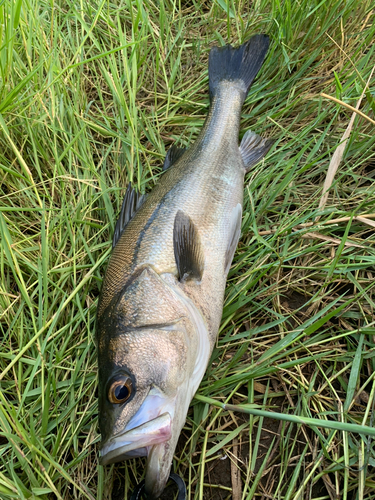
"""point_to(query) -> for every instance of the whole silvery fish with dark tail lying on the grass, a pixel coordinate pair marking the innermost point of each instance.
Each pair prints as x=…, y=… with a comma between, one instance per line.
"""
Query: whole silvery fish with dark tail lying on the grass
x=162, y=295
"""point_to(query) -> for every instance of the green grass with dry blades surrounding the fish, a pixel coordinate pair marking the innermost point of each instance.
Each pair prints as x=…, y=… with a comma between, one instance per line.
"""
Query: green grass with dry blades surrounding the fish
x=92, y=94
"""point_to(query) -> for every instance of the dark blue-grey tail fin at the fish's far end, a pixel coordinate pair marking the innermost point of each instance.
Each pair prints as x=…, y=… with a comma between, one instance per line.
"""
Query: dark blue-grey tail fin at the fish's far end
x=241, y=64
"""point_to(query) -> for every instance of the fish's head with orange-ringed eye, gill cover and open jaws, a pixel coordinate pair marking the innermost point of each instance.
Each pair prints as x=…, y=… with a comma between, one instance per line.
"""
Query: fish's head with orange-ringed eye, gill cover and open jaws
x=145, y=369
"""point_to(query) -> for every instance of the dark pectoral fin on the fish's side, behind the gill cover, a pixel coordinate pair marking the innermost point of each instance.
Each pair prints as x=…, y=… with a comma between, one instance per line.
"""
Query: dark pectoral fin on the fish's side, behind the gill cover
x=188, y=251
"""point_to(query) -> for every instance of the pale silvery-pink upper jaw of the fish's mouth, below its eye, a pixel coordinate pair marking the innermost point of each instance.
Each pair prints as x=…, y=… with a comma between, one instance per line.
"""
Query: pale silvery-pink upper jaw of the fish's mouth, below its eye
x=137, y=442
